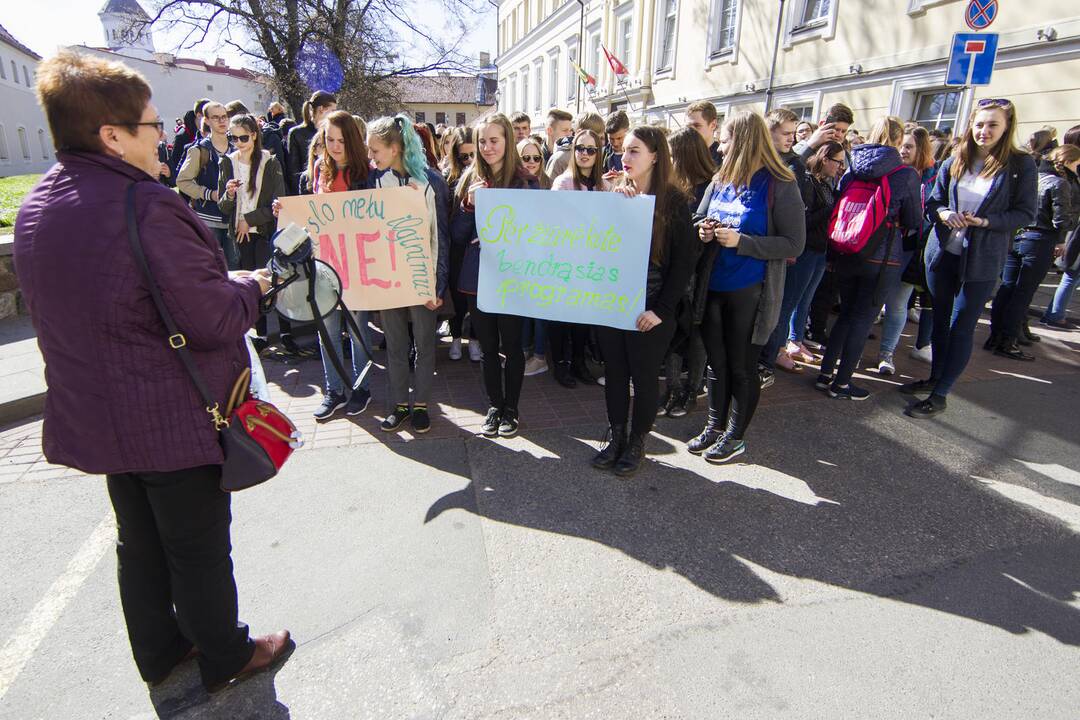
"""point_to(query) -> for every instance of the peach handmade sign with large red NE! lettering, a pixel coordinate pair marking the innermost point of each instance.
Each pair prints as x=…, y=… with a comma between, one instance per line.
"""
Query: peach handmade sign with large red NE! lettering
x=379, y=241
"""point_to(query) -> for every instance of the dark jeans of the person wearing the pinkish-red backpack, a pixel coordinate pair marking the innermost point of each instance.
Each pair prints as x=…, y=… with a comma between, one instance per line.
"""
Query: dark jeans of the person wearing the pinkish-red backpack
x=862, y=295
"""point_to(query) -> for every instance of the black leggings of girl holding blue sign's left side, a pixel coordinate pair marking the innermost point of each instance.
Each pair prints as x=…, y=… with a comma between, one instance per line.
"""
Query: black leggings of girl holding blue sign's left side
x=498, y=333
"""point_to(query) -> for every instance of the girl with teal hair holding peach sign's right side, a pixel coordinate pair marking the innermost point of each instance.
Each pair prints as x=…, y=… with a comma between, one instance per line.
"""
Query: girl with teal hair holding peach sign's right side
x=400, y=161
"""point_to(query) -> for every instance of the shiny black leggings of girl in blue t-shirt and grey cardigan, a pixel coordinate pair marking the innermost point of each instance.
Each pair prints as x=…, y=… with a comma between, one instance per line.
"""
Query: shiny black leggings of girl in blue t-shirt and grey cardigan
x=734, y=386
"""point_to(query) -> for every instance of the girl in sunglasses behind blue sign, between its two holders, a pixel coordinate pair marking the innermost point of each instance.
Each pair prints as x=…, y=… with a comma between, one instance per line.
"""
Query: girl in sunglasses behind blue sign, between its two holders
x=586, y=173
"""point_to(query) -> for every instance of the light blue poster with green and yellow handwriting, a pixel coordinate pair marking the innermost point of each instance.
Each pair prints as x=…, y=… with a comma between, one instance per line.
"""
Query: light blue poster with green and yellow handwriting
x=577, y=257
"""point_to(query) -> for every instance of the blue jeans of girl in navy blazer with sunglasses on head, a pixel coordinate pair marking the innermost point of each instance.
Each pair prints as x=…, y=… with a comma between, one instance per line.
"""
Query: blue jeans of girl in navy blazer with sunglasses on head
x=958, y=306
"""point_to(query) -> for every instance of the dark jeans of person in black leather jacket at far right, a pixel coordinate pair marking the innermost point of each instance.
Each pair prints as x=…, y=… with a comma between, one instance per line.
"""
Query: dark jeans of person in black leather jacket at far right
x=1027, y=267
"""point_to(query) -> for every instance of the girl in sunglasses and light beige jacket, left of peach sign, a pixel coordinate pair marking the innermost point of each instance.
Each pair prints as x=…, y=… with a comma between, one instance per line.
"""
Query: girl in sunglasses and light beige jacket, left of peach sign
x=249, y=181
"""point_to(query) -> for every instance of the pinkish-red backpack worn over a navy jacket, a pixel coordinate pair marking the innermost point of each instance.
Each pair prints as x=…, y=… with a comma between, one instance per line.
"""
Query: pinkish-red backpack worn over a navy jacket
x=859, y=222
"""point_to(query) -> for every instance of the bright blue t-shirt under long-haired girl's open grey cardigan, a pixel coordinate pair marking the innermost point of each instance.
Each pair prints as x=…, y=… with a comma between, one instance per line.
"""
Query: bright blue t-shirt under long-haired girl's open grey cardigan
x=746, y=210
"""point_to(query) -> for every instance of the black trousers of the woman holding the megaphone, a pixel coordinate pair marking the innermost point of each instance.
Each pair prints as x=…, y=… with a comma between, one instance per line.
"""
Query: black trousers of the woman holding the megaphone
x=175, y=572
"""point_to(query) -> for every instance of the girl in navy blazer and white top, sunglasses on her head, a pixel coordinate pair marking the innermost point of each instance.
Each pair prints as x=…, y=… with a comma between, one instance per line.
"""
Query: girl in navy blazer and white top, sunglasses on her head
x=983, y=194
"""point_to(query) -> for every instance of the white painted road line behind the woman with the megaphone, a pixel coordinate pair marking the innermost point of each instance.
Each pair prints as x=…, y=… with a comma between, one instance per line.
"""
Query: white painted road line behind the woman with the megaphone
x=24, y=642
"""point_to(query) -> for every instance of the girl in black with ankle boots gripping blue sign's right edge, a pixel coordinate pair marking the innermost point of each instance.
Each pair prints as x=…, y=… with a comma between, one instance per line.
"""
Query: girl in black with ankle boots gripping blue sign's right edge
x=629, y=355
